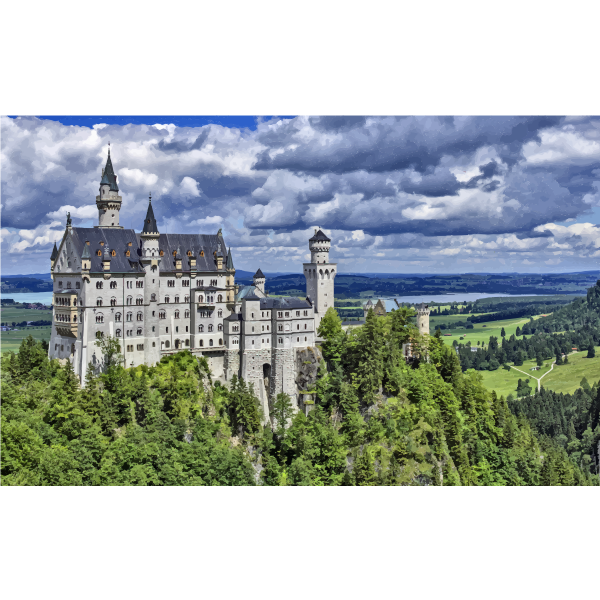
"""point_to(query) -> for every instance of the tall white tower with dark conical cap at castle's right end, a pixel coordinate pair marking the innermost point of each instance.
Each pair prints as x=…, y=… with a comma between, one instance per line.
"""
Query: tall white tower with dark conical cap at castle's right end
x=320, y=274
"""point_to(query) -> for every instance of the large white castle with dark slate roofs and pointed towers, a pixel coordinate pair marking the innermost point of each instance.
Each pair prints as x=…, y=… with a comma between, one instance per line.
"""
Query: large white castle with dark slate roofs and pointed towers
x=160, y=293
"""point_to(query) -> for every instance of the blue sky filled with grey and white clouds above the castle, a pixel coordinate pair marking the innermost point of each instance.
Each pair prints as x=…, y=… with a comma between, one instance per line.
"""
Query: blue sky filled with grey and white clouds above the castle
x=405, y=194
